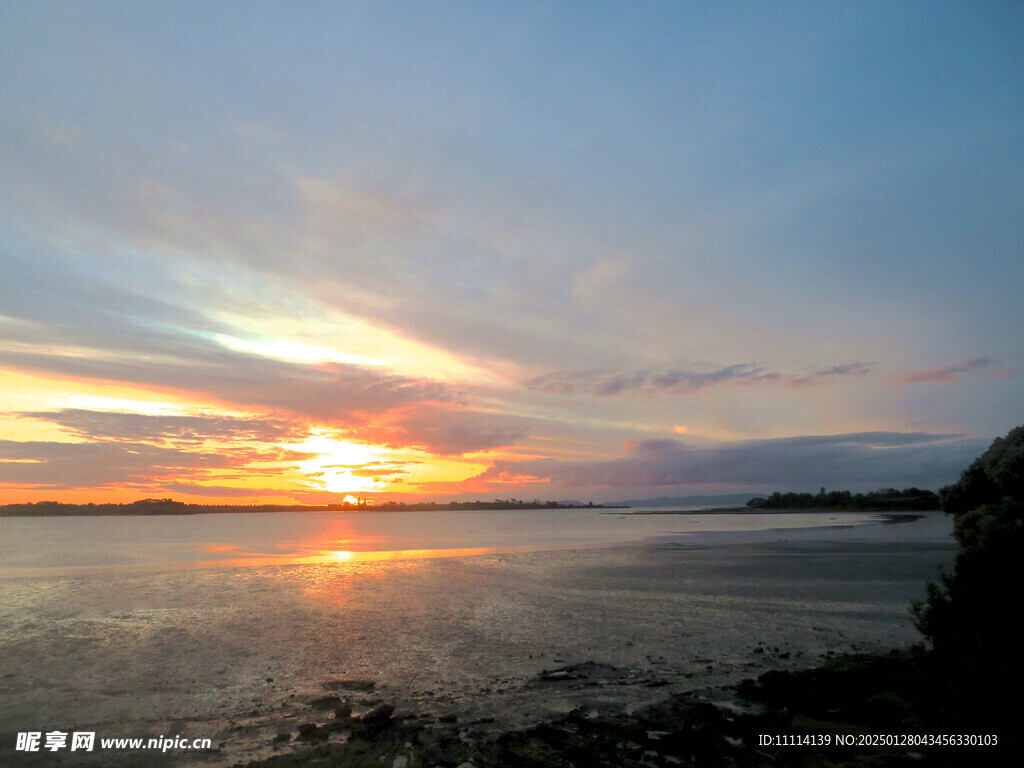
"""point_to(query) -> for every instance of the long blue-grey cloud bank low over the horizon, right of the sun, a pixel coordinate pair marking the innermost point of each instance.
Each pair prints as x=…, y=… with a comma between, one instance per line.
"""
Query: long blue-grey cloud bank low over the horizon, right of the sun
x=857, y=460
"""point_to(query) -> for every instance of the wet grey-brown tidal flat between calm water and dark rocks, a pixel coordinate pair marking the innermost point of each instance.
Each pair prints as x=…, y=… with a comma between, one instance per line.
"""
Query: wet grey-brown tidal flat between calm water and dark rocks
x=237, y=655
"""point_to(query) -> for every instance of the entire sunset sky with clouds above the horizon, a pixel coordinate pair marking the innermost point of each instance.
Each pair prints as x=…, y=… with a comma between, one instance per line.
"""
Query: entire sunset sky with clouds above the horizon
x=267, y=252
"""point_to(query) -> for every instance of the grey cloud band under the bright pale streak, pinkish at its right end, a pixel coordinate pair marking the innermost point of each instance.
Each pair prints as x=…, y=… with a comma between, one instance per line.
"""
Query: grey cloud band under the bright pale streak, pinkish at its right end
x=80, y=319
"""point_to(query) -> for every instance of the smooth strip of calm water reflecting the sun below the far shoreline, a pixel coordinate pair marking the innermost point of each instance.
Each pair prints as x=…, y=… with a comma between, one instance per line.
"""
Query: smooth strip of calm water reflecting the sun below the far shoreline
x=29, y=545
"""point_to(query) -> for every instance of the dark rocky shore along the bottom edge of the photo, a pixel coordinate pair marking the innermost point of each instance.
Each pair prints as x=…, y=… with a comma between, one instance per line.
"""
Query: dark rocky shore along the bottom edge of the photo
x=793, y=719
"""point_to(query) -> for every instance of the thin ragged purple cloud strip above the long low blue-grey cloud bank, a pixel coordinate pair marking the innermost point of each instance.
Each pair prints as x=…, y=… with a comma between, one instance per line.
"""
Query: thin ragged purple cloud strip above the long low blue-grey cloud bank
x=608, y=382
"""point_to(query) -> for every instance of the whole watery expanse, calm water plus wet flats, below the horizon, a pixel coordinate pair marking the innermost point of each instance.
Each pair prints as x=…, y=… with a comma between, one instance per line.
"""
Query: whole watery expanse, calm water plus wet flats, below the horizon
x=227, y=626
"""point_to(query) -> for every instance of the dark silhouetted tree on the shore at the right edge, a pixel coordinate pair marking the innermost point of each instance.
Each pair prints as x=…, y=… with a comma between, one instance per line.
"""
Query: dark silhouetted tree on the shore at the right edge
x=971, y=617
